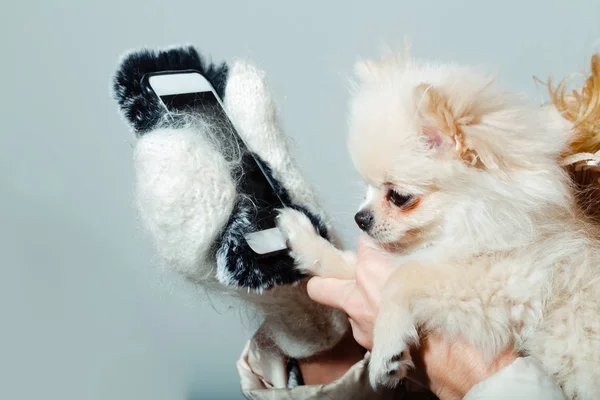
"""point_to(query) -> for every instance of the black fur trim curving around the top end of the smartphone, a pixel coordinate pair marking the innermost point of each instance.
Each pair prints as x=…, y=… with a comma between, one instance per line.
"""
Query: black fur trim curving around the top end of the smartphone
x=140, y=106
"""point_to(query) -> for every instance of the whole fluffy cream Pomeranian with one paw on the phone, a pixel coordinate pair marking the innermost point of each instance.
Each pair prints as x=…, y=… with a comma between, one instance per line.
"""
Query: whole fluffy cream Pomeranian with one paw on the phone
x=465, y=191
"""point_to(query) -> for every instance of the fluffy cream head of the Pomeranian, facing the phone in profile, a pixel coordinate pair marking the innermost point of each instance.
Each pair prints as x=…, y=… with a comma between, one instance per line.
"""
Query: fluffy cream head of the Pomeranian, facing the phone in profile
x=450, y=157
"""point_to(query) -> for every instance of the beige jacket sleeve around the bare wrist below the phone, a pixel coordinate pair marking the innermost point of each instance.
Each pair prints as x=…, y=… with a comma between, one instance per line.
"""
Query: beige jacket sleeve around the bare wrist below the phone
x=263, y=376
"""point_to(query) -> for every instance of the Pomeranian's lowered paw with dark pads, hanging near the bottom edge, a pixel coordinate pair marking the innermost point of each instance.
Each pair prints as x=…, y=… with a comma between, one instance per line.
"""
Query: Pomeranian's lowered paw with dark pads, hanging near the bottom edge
x=389, y=365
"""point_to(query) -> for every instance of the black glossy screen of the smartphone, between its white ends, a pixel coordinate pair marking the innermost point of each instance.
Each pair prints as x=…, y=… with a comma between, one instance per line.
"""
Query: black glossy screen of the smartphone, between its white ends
x=252, y=179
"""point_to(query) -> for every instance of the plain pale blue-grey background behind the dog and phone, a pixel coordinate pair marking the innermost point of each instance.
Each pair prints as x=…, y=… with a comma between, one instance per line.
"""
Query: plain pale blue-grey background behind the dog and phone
x=85, y=314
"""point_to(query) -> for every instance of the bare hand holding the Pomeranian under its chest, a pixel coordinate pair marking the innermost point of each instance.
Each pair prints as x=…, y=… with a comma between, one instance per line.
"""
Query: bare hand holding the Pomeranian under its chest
x=448, y=368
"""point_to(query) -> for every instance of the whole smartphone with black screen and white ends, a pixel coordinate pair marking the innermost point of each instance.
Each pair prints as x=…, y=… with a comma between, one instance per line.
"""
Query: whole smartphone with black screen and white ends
x=190, y=91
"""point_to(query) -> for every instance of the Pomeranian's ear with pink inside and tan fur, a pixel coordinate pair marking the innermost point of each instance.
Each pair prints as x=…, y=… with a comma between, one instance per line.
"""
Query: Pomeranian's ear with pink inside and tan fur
x=443, y=126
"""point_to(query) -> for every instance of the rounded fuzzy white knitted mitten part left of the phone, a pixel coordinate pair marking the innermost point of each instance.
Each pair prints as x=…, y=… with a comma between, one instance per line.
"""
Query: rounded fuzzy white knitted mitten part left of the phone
x=184, y=194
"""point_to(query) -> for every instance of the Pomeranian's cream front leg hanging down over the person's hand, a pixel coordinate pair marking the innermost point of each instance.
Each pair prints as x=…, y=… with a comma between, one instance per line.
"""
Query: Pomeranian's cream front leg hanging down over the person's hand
x=445, y=299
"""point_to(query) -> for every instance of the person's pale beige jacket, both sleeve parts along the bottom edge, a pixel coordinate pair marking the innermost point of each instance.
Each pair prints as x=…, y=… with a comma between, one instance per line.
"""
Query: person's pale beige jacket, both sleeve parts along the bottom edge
x=262, y=370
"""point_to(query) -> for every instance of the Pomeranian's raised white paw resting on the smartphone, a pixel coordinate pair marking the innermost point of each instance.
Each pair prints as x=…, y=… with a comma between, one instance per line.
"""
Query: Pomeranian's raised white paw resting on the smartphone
x=302, y=238
